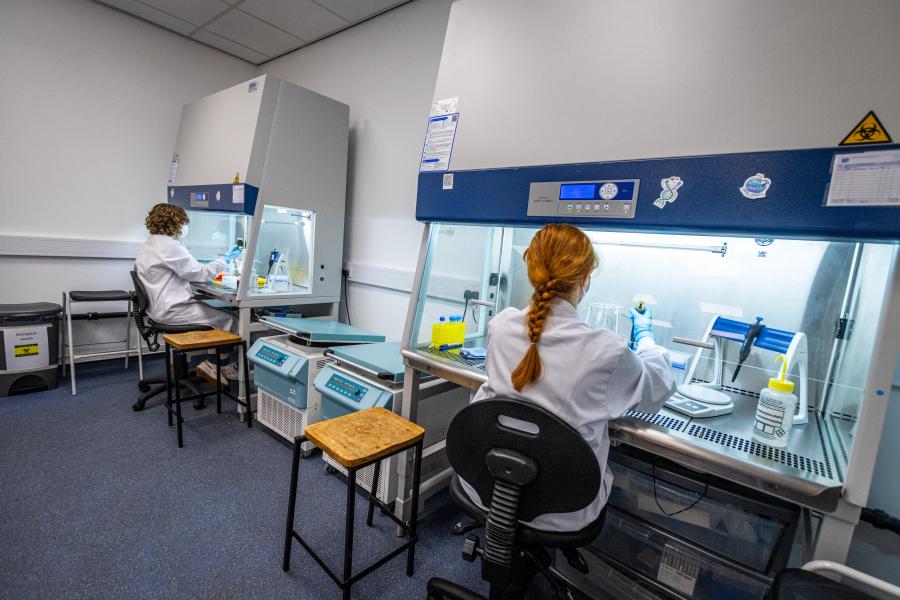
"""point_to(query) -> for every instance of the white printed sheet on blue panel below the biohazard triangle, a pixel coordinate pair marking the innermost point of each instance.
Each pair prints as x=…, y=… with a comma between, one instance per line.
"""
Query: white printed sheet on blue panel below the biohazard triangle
x=865, y=179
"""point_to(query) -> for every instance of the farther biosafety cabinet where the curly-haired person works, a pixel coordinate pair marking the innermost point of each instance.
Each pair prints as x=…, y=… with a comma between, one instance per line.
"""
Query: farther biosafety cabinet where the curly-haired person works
x=262, y=165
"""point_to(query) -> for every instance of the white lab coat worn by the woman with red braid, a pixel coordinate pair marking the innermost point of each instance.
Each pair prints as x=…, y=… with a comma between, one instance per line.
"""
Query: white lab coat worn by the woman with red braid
x=589, y=377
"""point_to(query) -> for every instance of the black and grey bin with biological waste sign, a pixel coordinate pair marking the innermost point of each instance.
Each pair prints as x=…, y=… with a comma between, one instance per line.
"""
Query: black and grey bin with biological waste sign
x=29, y=347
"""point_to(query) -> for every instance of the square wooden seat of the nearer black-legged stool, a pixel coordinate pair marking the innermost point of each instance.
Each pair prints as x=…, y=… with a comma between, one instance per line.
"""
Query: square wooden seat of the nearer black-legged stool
x=364, y=436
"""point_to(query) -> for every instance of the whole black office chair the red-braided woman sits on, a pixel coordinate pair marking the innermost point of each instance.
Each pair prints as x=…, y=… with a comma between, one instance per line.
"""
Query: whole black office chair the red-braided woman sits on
x=528, y=462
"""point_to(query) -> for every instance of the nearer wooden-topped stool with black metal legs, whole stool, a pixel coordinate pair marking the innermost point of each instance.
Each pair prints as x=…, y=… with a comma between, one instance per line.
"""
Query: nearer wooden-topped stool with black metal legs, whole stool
x=356, y=441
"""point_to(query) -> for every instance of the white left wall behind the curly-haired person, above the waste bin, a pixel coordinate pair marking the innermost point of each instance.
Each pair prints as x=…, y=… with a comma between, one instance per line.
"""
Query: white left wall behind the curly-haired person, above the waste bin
x=90, y=109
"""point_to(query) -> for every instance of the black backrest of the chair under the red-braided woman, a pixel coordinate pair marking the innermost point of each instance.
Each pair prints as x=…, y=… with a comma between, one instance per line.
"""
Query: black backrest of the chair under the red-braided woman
x=500, y=439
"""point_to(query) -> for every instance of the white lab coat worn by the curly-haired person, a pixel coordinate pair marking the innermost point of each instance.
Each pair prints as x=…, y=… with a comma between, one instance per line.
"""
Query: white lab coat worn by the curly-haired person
x=166, y=269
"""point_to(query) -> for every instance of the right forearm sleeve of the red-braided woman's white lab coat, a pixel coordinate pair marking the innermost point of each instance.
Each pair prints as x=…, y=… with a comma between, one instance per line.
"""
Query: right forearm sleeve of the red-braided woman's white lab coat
x=641, y=381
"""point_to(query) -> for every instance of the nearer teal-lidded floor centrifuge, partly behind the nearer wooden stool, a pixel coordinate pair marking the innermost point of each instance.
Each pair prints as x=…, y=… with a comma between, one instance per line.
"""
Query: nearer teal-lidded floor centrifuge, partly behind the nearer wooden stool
x=371, y=375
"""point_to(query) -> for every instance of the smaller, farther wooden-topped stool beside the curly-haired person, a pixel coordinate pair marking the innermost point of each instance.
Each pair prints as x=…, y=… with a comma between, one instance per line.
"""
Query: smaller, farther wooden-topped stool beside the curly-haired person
x=180, y=343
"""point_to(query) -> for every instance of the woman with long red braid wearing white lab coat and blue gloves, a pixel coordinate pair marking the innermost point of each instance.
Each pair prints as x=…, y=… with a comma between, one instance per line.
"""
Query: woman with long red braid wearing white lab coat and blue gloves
x=545, y=354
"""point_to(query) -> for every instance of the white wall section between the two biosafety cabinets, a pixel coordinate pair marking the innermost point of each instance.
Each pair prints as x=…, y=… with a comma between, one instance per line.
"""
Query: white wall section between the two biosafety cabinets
x=385, y=70
